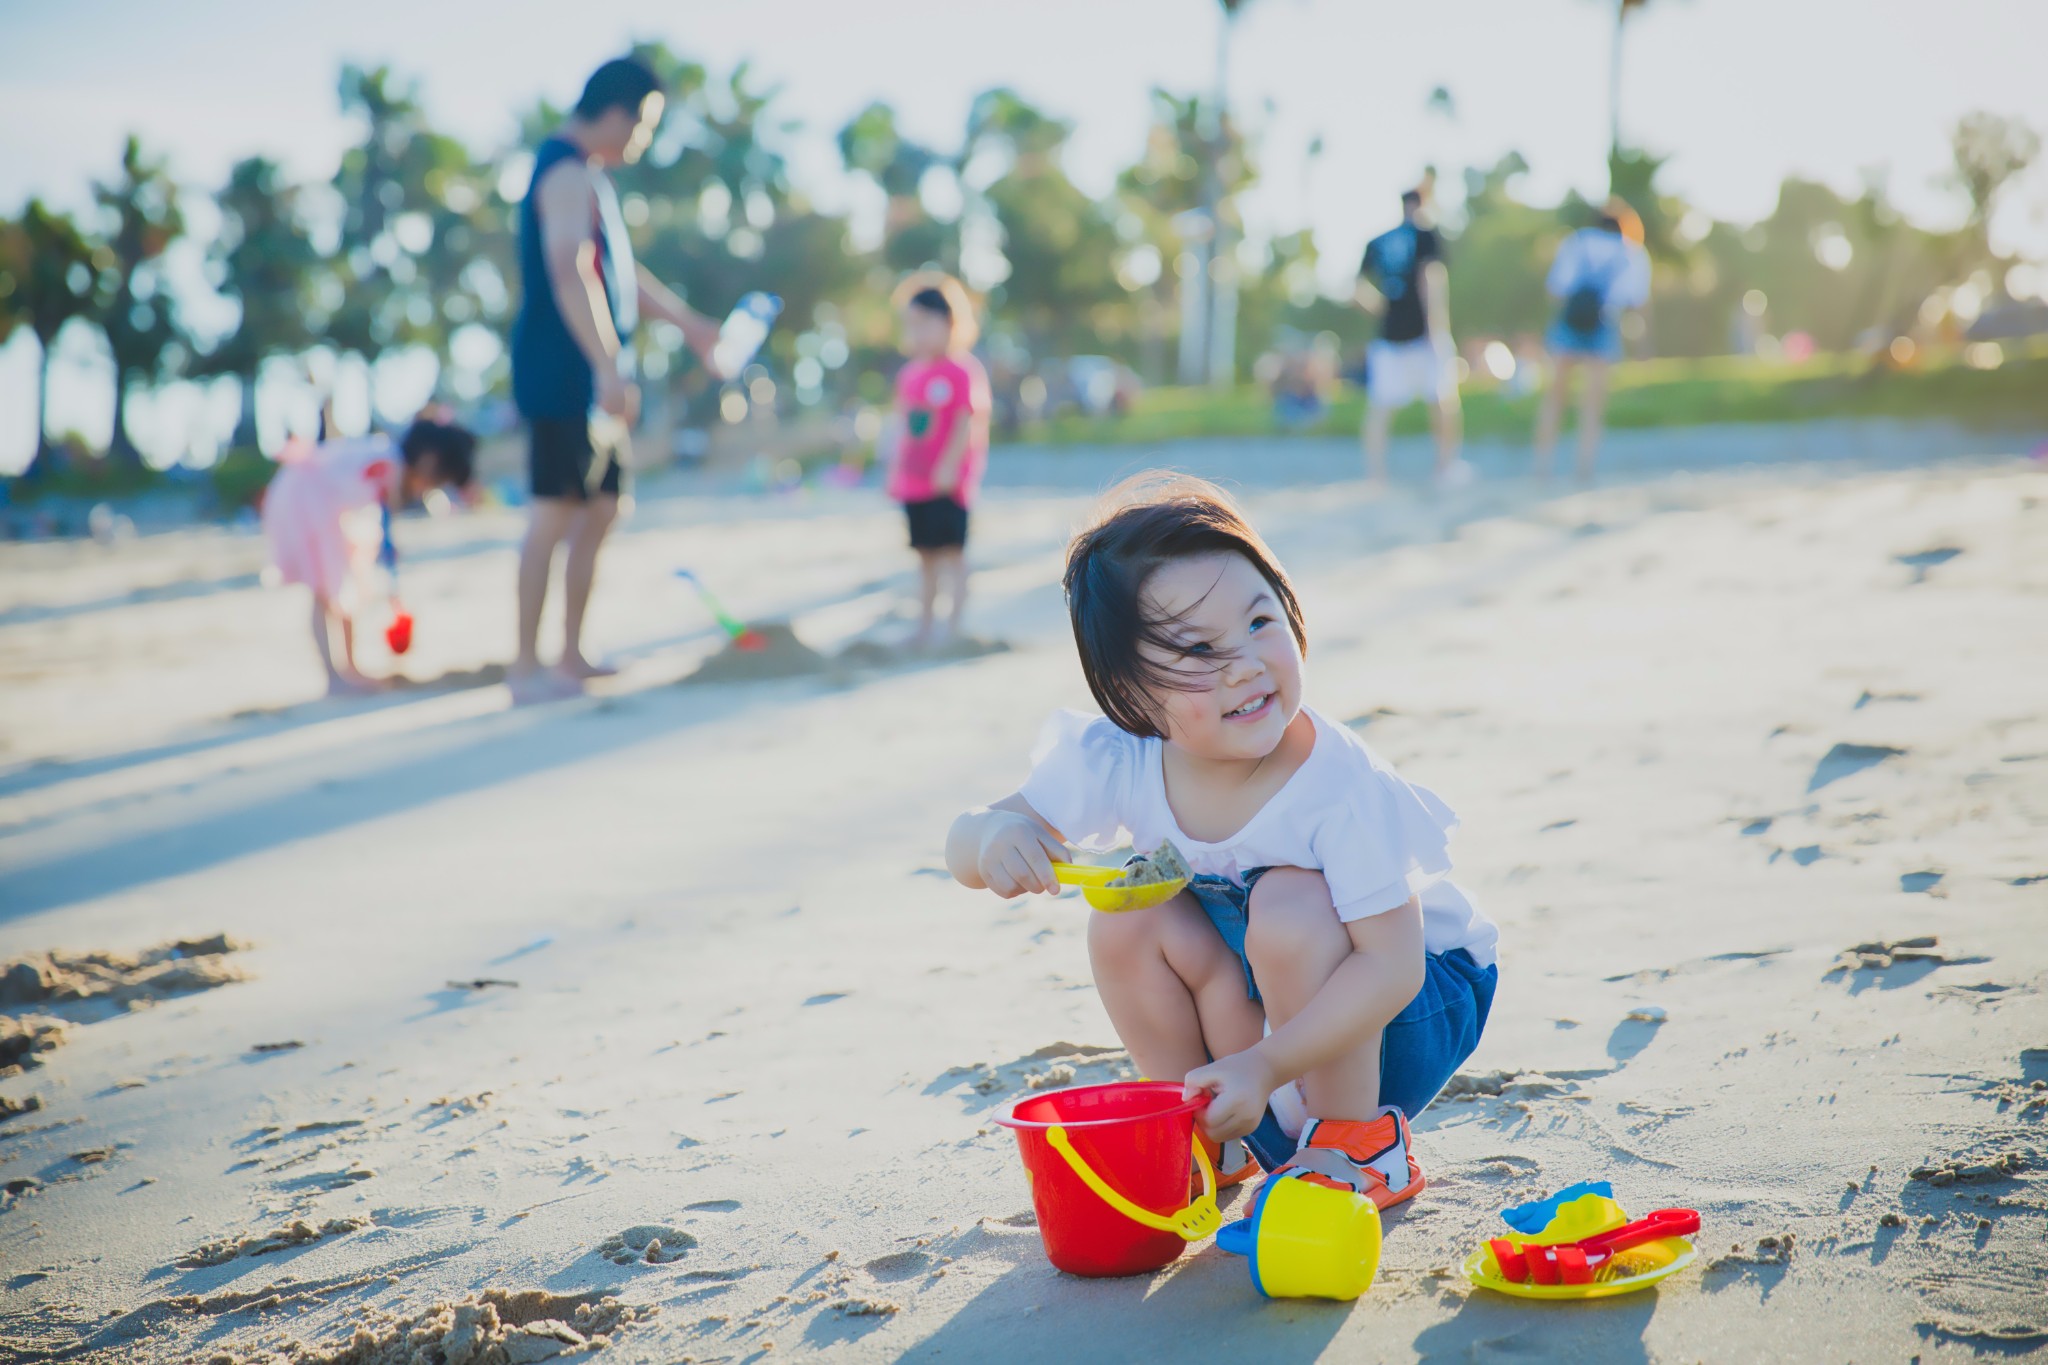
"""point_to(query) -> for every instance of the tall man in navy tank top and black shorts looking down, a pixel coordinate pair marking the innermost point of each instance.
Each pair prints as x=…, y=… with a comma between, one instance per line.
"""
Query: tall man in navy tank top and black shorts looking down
x=572, y=363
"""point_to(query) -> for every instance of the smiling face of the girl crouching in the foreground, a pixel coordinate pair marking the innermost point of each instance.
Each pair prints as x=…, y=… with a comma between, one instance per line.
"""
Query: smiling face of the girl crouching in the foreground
x=1240, y=666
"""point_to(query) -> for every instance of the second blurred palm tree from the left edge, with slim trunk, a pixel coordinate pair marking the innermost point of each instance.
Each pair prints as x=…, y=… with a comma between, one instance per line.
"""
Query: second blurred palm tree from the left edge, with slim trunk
x=142, y=220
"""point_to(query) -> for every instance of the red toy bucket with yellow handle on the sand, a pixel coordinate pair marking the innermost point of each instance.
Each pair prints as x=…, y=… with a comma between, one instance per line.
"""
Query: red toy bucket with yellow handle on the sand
x=1111, y=1168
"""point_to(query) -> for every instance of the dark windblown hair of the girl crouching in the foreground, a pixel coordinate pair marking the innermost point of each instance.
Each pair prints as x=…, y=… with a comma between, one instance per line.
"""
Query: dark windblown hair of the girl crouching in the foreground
x=1152, y=521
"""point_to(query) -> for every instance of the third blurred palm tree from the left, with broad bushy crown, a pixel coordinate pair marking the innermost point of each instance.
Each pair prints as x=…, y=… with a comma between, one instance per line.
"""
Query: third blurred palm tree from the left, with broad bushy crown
x=265, y=261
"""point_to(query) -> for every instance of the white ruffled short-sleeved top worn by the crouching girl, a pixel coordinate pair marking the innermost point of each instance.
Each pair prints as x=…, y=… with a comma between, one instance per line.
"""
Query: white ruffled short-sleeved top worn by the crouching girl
x=1345, y=813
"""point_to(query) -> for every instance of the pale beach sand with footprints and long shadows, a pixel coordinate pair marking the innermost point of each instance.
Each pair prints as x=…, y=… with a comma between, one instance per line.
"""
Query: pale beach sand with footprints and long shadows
x=650, y=1018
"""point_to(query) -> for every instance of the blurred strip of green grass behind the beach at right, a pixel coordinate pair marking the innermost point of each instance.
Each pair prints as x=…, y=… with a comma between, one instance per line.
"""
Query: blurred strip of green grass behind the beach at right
x=1646, y=394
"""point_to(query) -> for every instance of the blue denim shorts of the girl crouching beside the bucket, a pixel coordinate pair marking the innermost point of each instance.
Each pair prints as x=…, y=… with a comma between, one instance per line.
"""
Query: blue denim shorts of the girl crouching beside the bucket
x=1426, y=1043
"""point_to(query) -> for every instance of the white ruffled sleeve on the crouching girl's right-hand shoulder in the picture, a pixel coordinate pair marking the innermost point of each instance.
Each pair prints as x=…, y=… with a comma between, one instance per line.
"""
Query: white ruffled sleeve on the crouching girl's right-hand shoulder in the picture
x=1388, y=844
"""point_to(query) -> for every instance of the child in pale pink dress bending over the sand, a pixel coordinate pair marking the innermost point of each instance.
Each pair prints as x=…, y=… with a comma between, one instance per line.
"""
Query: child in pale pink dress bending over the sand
x=327, y=515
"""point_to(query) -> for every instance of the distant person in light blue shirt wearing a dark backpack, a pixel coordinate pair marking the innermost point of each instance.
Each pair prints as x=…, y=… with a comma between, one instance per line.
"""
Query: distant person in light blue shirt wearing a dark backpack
x=1601, y=275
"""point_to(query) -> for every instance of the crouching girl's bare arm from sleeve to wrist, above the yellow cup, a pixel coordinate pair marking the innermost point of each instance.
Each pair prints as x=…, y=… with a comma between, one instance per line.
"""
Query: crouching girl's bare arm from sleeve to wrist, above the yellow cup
x=1361, y=998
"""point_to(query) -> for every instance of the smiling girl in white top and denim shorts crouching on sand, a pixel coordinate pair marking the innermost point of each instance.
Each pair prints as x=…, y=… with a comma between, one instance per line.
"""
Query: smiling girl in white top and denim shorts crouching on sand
x=1322, y=963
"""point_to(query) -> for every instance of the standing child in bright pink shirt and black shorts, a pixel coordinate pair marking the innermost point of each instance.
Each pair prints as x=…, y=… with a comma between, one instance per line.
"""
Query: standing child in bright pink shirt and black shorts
x=937, y=441
